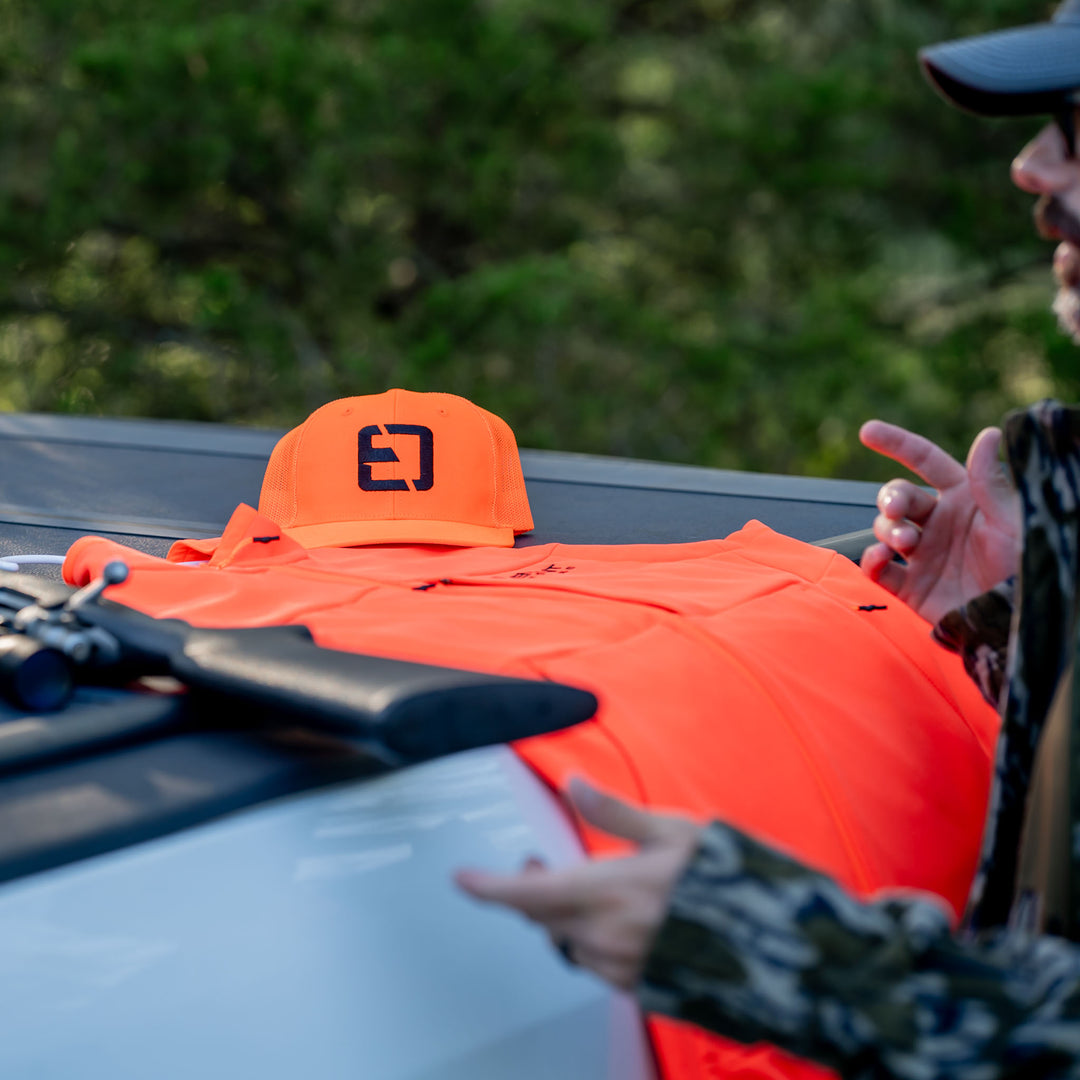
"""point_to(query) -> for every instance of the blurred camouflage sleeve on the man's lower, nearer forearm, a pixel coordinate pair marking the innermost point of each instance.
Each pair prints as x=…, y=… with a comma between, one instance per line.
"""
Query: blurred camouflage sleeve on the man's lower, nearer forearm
x=758, y=948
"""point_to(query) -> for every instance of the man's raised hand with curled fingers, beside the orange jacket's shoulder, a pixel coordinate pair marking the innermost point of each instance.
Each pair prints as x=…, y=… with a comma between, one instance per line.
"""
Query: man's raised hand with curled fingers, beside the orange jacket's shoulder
x=957, y=544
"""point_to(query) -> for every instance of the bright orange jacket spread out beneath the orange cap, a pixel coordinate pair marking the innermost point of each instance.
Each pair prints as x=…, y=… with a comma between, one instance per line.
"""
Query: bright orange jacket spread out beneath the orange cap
x=754, y=679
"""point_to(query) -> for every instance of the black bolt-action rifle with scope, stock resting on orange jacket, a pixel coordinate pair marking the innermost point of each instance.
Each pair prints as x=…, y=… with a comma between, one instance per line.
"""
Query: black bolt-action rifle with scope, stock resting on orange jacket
x=55, y=639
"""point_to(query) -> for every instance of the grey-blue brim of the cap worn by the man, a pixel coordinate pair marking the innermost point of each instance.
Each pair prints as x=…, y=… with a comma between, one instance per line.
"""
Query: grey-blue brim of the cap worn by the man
x=1016, y=73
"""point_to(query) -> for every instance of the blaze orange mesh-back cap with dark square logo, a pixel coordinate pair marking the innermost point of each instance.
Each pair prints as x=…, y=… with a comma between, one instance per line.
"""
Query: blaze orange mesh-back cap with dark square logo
x=398, y=468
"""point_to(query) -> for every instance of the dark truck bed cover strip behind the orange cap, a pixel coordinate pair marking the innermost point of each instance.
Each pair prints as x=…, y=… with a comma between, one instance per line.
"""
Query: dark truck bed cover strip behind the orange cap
x=150, y=482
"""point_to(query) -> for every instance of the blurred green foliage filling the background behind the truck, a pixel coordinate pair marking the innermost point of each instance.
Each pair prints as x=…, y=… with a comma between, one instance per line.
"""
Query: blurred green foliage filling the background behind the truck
x=721, y=232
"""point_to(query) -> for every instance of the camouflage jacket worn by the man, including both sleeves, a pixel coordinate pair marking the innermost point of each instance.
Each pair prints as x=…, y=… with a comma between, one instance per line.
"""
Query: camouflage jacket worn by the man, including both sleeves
x=757, y=947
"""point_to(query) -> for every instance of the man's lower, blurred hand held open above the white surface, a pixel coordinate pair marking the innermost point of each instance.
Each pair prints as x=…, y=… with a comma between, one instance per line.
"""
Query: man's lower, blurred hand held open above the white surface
x=602, y=915
